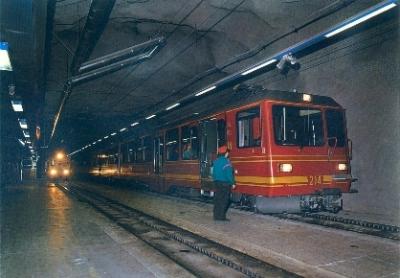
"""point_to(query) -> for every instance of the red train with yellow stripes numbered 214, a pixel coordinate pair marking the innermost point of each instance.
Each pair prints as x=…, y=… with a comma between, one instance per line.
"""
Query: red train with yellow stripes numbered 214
x=289, y=150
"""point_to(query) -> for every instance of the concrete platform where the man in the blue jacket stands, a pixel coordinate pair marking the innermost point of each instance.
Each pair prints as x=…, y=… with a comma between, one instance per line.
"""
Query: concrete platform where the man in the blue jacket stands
x=307, y=250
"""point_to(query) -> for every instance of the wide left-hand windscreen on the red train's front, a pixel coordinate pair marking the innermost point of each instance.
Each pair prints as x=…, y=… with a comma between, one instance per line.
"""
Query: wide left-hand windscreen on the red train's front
x=298, y=126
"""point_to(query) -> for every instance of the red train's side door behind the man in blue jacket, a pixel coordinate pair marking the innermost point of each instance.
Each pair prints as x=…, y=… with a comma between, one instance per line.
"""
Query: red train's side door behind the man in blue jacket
x=212, y=135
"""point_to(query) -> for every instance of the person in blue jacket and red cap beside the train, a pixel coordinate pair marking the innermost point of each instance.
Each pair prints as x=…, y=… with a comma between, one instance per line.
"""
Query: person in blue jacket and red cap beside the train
x=224, y=181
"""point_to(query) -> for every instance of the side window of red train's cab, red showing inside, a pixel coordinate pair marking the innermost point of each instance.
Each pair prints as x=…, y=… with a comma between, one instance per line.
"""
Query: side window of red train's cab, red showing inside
x=248, y=127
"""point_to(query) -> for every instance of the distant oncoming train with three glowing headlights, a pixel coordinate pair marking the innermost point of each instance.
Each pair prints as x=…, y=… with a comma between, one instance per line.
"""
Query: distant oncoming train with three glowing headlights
x=58, y=166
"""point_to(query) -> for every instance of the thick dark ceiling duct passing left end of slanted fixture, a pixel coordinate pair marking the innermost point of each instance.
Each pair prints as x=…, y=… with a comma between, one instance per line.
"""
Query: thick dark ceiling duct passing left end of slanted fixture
x=96, y=21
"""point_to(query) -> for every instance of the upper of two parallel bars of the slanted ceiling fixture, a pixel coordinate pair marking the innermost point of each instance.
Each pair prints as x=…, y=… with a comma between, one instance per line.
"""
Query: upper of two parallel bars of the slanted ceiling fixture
x=120, y=55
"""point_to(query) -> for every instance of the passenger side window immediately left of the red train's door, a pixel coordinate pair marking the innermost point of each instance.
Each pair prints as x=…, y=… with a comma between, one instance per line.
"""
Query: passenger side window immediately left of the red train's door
x=189, y=142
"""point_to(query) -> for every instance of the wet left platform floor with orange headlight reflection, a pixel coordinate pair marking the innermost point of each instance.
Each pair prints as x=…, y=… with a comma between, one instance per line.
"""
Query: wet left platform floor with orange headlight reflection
x=45, y=233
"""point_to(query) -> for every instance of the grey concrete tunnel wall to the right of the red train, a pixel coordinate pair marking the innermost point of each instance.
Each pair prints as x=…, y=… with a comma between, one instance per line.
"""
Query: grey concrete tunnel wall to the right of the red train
x=362, y=74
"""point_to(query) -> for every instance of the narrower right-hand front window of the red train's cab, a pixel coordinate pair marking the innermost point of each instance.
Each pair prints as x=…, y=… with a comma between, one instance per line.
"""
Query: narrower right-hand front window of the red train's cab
x=336, y=128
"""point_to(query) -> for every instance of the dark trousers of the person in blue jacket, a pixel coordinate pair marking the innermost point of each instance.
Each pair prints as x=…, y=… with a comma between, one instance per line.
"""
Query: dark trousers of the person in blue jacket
x=222, y=199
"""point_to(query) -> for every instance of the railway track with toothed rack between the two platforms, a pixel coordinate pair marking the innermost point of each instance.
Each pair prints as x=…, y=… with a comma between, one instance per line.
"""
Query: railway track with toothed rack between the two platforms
x=198, y=255
